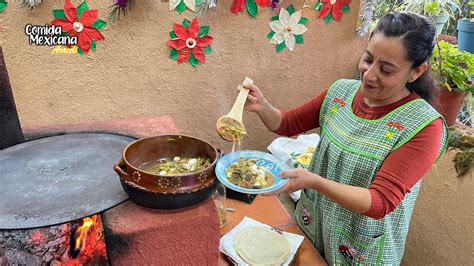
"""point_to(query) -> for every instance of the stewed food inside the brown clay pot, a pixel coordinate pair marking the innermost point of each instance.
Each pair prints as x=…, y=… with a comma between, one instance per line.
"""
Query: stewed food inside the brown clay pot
x=177, y=165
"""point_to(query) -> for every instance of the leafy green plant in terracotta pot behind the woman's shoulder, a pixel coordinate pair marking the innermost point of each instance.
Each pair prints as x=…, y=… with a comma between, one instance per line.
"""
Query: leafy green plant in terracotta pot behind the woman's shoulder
x=454, y=69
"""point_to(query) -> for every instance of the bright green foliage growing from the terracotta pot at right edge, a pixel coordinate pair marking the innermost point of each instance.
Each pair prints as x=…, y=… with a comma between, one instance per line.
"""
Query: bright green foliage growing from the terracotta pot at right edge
x=453, y=67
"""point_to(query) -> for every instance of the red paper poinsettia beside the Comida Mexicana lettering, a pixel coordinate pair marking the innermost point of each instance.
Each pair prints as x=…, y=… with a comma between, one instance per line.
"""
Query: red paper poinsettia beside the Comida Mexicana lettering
x=79, y=24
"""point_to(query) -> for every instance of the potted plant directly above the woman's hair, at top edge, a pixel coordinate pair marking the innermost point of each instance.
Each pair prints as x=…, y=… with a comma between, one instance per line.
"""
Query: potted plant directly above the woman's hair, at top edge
x=438, y=10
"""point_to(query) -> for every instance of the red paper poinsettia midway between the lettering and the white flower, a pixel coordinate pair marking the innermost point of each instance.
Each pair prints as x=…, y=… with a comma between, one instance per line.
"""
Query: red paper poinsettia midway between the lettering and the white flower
x=190, y=41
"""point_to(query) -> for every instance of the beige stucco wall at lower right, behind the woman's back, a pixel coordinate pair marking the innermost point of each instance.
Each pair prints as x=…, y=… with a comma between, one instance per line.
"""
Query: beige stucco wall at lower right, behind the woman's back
x=442, y=227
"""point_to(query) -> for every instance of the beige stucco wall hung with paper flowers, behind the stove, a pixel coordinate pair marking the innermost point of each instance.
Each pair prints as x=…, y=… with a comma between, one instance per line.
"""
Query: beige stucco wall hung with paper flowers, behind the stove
x=130, y=73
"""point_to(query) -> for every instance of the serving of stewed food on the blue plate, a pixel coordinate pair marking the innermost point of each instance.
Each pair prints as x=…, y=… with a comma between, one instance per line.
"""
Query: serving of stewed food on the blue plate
x=247, y=174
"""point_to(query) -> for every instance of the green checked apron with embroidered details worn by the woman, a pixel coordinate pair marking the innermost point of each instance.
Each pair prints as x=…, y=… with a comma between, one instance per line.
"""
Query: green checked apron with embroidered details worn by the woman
x=351, y=151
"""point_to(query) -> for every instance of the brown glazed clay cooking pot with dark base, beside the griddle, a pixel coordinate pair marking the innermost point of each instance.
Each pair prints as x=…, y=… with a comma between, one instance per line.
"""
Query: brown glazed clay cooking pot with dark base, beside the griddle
x=166, y=192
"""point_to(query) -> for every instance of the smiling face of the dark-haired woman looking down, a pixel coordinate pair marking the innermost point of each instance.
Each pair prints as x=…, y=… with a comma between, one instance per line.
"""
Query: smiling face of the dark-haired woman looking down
x=384, y=70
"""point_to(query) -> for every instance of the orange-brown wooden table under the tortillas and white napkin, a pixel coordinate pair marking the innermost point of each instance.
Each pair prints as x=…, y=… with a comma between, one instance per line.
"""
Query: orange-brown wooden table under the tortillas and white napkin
x=269, y=210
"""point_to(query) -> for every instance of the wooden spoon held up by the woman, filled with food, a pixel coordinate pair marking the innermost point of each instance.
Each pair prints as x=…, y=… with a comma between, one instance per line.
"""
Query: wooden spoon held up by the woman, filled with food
x=230, y=126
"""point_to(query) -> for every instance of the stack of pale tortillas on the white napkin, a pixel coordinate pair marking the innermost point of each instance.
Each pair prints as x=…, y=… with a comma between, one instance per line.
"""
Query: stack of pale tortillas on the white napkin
x=262, y=246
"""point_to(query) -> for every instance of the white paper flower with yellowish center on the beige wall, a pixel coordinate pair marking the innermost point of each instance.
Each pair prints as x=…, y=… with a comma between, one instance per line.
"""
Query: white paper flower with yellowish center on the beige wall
x=286, y=27
